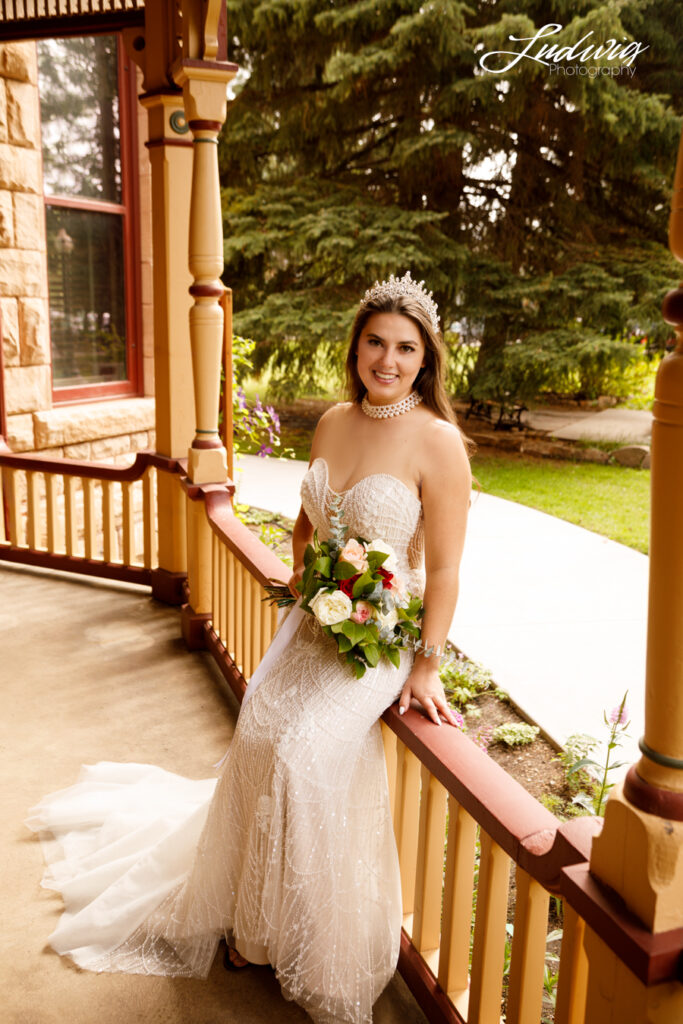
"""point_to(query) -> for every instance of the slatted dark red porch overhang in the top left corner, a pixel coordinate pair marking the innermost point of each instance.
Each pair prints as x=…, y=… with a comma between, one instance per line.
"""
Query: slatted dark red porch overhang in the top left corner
x=35, y=19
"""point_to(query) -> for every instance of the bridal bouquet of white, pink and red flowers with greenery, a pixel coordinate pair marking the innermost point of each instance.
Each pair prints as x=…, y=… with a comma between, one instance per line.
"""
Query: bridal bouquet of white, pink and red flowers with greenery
x=354, y=590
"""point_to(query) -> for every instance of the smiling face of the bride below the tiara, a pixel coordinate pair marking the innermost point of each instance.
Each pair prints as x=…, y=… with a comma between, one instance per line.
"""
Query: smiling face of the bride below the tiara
x=391, y=354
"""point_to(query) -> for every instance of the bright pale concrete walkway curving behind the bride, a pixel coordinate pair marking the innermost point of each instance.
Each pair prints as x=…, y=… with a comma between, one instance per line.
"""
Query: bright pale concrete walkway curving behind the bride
x=557, y=613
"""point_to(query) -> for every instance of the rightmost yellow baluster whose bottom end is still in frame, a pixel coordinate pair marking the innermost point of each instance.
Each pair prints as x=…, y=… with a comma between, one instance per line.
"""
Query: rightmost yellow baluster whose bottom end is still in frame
x=460, y=859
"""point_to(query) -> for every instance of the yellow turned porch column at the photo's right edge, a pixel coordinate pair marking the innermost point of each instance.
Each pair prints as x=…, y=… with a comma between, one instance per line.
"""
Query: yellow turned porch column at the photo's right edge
x=639, y=854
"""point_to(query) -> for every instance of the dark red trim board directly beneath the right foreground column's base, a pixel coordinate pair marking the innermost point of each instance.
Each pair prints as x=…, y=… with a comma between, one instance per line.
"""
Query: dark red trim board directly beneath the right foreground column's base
x=654, y=959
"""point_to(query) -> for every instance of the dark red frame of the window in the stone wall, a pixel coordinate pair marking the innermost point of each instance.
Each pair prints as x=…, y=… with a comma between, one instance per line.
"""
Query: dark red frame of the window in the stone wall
x=129, y=210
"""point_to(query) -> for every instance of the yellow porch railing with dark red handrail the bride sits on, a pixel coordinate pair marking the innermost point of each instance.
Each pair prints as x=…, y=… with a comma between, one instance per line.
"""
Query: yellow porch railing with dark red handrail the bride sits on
x=475, y=941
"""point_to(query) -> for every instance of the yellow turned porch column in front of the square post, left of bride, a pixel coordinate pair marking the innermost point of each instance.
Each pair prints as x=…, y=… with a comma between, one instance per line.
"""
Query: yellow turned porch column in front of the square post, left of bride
x=204, y=81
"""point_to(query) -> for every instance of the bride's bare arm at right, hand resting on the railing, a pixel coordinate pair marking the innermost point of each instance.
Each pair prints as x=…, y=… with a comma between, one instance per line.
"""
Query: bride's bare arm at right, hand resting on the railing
x=447, y=483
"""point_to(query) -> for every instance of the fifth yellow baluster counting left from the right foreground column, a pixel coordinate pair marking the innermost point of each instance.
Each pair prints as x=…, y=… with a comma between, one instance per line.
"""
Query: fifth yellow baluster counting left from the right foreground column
x=430, y=871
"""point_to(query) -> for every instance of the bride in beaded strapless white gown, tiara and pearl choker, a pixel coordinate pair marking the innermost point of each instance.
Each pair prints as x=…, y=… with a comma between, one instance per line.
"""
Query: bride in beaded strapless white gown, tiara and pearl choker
x=290, y=855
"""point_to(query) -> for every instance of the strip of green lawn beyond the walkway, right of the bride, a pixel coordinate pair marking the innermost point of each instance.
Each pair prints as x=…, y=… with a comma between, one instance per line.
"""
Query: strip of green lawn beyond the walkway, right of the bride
x=610, y=500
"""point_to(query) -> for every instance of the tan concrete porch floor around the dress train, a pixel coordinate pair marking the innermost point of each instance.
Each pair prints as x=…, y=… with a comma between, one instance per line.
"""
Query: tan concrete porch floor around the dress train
x=92, y=672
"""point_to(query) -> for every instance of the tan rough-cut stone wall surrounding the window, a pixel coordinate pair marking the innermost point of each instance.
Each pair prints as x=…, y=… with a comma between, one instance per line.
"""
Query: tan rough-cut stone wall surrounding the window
x=98, y=431
